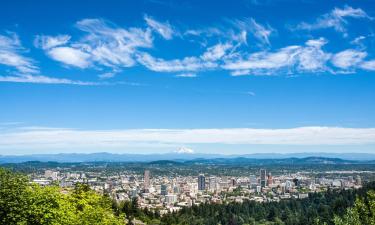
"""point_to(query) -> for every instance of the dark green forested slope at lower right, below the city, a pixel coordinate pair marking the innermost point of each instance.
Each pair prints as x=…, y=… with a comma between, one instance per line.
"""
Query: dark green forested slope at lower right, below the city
x=332, y=207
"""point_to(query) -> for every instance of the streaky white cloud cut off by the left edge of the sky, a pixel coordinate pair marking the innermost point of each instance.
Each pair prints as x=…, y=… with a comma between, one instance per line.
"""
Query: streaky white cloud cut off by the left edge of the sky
x=11, y=54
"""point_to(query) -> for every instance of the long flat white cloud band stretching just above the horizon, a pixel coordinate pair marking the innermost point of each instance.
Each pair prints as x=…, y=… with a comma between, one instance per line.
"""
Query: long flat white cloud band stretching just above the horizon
x=106, y=139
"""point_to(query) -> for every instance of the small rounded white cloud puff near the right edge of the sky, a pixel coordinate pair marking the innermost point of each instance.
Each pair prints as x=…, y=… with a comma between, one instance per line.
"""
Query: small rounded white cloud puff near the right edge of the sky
x=348, y=58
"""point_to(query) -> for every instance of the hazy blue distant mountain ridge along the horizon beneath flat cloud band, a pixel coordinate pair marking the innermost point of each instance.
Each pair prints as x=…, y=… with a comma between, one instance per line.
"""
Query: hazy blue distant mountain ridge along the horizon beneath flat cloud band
x=182, y=157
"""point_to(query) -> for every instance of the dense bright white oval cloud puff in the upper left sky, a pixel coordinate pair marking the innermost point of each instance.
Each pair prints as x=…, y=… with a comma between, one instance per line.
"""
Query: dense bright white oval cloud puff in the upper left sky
x=70, y=56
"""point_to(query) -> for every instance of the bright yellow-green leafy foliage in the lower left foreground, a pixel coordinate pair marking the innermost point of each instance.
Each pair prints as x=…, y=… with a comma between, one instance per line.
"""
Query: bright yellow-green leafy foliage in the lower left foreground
x=22, y=203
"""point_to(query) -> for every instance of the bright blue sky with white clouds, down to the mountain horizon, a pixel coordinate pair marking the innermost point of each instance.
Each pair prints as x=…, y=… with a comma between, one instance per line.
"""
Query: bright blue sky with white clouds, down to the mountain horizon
x=210, y=76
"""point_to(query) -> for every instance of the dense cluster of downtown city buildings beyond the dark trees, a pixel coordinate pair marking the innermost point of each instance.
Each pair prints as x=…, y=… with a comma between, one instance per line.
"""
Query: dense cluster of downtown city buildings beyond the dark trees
x=168, y=194
